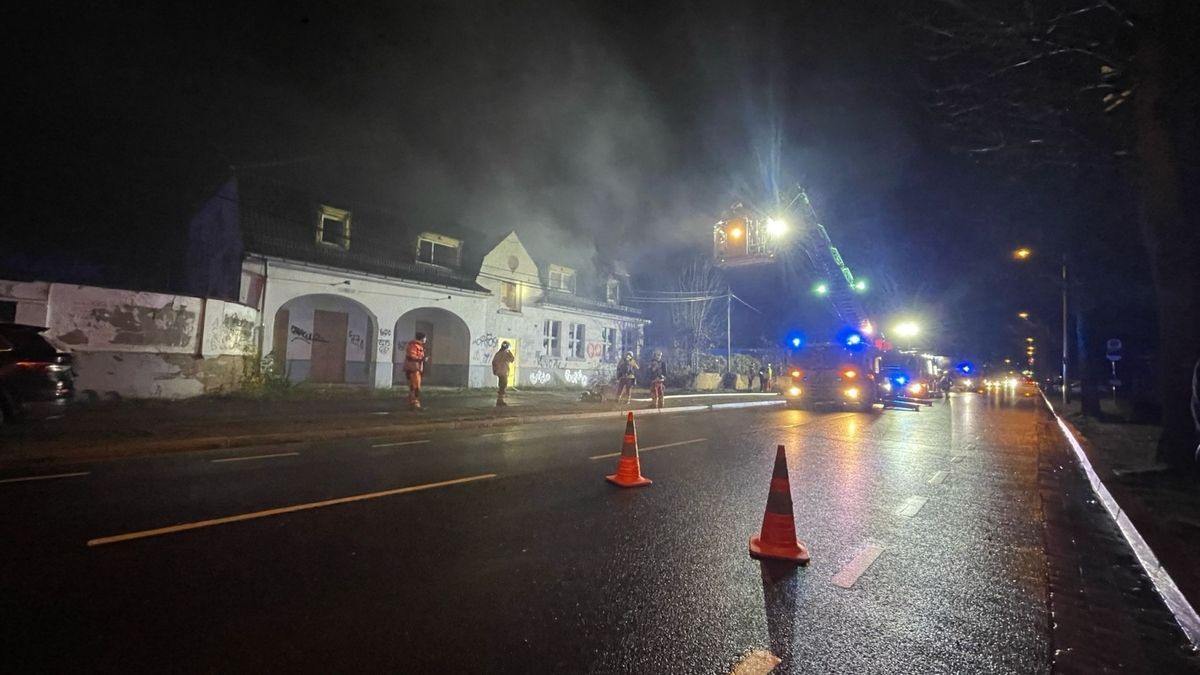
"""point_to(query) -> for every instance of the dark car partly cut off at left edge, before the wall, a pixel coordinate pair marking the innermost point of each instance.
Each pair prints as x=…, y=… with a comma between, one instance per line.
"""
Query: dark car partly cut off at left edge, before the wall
x=35, y=378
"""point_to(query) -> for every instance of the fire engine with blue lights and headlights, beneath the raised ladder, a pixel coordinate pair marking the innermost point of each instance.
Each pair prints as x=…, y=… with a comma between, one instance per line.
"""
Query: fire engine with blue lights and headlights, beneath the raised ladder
x=832, y=375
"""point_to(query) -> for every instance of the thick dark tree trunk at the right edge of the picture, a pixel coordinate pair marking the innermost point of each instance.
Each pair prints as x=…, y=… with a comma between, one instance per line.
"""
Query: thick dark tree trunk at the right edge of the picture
x=1171, y=246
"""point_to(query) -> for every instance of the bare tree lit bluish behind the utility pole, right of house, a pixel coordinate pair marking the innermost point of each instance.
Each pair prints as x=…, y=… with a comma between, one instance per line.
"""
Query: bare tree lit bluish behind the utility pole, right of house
x=694, y=314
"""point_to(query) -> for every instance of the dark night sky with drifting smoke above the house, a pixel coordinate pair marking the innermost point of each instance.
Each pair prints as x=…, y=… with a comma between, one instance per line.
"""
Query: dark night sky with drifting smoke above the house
x=619, y=127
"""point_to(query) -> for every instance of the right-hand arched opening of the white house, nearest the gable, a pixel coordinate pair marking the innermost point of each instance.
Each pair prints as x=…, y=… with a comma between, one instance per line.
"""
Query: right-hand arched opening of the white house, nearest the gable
x=448, y=347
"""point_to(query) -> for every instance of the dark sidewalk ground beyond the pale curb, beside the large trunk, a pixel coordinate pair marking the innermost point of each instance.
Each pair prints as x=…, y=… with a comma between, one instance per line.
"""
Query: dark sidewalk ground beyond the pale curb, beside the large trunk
x=1165, y=506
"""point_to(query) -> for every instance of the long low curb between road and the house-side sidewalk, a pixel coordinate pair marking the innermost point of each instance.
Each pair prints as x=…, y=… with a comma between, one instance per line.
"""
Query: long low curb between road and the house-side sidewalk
x=128, y=451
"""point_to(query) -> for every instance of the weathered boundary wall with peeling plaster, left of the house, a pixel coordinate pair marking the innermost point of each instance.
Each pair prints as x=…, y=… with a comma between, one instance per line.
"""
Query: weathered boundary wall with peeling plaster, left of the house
x=130, y=344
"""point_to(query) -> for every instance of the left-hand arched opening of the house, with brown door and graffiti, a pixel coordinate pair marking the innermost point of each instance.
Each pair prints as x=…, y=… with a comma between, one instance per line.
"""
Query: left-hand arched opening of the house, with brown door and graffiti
x=327, y=339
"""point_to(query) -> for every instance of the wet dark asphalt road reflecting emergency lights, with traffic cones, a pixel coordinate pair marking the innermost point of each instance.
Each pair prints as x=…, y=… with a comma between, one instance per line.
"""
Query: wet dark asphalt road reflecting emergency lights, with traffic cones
x=547, y=568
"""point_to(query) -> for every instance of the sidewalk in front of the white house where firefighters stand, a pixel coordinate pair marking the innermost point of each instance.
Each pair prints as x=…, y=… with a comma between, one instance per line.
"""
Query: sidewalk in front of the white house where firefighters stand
x=110, y=431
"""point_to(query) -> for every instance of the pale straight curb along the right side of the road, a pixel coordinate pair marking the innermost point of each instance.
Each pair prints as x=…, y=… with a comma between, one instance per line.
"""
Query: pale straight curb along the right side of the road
x=1185, y=614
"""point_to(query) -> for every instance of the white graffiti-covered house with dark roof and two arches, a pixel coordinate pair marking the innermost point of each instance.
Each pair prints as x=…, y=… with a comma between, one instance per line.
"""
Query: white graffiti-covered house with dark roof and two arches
x=343, y=285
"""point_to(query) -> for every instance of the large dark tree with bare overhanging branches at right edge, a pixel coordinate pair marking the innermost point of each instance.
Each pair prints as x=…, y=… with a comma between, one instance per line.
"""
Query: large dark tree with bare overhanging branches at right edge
x=1087, y=82
